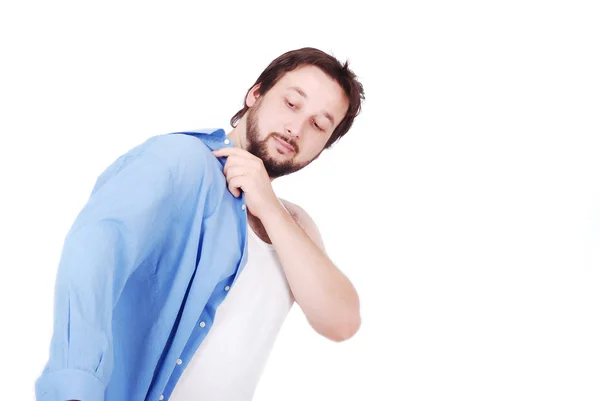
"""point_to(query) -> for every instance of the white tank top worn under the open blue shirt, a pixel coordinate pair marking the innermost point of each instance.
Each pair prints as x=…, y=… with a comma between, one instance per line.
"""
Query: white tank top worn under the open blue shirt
x=229, y=362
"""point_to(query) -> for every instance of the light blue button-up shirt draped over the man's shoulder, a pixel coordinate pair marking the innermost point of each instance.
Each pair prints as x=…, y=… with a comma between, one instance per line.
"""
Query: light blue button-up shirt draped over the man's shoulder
x=143, y=269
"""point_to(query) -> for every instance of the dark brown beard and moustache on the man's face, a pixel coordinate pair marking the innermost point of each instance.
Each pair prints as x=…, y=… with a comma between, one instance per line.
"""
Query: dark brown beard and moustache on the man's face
x=260, y=149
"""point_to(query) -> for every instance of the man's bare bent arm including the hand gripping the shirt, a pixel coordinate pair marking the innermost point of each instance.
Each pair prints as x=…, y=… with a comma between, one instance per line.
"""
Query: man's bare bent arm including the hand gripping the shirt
x=324, y=294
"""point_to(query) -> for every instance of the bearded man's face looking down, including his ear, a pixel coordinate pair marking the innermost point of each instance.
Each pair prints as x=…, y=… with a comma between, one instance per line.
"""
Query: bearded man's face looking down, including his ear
x=289, y=126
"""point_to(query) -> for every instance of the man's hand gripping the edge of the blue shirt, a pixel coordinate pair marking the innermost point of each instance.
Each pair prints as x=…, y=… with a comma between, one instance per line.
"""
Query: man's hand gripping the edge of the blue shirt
x=247, y=173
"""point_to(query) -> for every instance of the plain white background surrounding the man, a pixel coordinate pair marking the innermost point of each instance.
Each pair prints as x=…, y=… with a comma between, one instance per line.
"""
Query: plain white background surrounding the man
x=464, y=204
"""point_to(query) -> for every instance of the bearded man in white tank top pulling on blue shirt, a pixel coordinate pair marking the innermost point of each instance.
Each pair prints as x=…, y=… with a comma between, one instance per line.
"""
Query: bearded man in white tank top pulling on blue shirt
x=188, y=223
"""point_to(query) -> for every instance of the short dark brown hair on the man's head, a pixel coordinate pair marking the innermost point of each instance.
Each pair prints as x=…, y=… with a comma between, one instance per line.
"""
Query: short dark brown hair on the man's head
x=329, y=65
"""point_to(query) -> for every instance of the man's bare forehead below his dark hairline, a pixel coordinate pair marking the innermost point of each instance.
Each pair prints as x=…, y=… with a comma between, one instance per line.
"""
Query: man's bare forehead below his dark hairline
x=323, y=93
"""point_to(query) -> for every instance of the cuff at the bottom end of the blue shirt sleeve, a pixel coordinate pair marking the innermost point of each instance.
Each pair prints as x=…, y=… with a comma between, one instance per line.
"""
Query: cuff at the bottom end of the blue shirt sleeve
x=69, y=384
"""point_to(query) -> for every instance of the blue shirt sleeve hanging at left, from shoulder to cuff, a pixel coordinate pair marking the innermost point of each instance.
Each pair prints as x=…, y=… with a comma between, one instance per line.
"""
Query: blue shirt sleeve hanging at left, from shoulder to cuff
x=126, y=216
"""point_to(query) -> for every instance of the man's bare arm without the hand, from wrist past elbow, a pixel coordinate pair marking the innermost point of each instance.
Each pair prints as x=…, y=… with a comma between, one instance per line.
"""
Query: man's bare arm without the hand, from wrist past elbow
x=323, y=292
